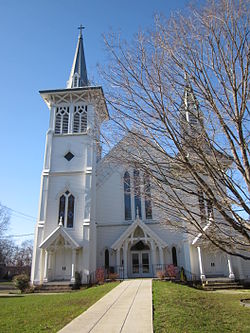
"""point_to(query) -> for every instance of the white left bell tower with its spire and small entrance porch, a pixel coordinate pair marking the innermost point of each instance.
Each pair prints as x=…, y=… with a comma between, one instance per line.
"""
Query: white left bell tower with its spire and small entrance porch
x=65, y=236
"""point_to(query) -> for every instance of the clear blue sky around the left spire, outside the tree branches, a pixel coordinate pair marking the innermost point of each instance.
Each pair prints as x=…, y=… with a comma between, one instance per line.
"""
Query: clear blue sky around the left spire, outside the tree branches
x=38, y=40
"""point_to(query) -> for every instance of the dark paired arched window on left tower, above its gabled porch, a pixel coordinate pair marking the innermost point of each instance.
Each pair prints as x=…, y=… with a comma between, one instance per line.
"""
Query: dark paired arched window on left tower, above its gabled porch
x=66, y=209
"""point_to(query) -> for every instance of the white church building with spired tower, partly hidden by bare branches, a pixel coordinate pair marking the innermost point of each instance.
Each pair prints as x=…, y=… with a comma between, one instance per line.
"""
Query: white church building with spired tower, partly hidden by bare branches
x=89, y=216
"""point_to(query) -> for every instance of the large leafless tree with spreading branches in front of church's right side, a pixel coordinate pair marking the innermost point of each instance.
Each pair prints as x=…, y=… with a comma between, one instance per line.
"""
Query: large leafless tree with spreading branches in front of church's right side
x=179, y=94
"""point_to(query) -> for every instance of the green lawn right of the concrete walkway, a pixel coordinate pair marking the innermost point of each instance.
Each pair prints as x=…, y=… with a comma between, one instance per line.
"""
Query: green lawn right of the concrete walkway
x=183, y=309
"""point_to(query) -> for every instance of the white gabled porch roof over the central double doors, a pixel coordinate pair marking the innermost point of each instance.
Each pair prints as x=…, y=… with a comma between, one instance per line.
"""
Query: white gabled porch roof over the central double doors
x=119, y=242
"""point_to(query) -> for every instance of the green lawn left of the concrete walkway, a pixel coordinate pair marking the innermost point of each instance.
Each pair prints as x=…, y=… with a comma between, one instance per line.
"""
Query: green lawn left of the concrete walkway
x=46, y=313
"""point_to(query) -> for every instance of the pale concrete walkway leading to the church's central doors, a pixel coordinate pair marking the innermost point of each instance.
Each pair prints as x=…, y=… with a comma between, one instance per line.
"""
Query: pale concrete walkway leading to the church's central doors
x=126, y=308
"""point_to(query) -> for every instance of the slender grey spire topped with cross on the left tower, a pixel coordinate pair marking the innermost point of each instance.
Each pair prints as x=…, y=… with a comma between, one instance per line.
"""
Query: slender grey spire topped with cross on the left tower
x=78, y=75
